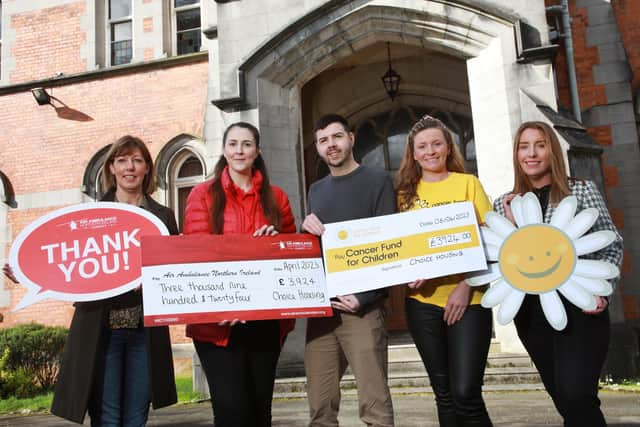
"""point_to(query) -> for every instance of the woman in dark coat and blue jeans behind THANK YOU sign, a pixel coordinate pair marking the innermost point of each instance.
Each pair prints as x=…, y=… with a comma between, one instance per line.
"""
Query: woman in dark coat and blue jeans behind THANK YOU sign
x=112, y=365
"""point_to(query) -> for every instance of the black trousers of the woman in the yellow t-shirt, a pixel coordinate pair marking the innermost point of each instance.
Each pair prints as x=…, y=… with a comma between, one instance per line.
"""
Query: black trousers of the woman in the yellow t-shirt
x=455, y=358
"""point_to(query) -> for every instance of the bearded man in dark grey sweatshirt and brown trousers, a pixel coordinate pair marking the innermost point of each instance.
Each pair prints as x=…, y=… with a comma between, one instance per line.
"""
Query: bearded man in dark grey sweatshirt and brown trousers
x=356, y=334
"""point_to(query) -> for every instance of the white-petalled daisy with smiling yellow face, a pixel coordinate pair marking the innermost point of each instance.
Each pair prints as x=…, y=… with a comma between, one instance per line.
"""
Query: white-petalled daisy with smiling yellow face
x=542, y=259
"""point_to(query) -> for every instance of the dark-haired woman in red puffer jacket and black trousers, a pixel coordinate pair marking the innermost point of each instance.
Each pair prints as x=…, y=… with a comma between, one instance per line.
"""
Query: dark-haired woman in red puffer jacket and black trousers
x=238, y=358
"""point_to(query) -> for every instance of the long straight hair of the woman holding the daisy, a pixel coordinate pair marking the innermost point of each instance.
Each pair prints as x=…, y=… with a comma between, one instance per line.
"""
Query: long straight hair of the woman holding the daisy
x=559, y=180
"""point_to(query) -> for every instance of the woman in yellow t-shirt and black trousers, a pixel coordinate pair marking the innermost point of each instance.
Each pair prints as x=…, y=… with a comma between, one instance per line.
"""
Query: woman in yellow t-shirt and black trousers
x=451, y=330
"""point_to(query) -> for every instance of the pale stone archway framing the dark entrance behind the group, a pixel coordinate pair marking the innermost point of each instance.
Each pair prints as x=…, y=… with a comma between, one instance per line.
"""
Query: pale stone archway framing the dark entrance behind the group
x=317, y=42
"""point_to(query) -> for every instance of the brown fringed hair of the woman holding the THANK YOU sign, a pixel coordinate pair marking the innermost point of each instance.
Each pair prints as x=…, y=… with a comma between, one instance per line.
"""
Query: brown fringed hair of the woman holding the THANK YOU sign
x=123, y=146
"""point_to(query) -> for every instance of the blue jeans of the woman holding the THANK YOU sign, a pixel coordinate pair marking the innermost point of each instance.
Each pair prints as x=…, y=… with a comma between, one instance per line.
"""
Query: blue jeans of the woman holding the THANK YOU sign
x=122, y=391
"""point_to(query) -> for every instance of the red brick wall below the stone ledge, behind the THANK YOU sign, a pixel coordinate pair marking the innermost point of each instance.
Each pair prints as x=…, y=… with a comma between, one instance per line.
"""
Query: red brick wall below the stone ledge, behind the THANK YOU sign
x=42, y=151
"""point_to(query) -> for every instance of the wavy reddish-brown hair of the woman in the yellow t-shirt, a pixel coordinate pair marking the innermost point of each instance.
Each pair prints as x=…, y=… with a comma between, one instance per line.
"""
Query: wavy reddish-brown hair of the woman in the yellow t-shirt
x=410, y=172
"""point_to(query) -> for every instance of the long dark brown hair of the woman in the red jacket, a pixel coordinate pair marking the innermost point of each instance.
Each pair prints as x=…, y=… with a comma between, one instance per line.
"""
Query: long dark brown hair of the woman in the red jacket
x=267, y=199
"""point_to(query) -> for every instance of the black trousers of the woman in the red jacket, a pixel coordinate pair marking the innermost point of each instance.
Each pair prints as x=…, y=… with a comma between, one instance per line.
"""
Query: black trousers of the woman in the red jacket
x=241, y=375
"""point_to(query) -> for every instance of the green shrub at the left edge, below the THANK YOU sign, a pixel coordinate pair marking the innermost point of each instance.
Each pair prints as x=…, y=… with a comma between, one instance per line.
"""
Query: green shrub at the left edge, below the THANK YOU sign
x=36, y=350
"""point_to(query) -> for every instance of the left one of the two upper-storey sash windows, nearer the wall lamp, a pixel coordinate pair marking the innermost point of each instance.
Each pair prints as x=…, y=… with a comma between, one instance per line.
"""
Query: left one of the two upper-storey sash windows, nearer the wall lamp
x=120, y=26
